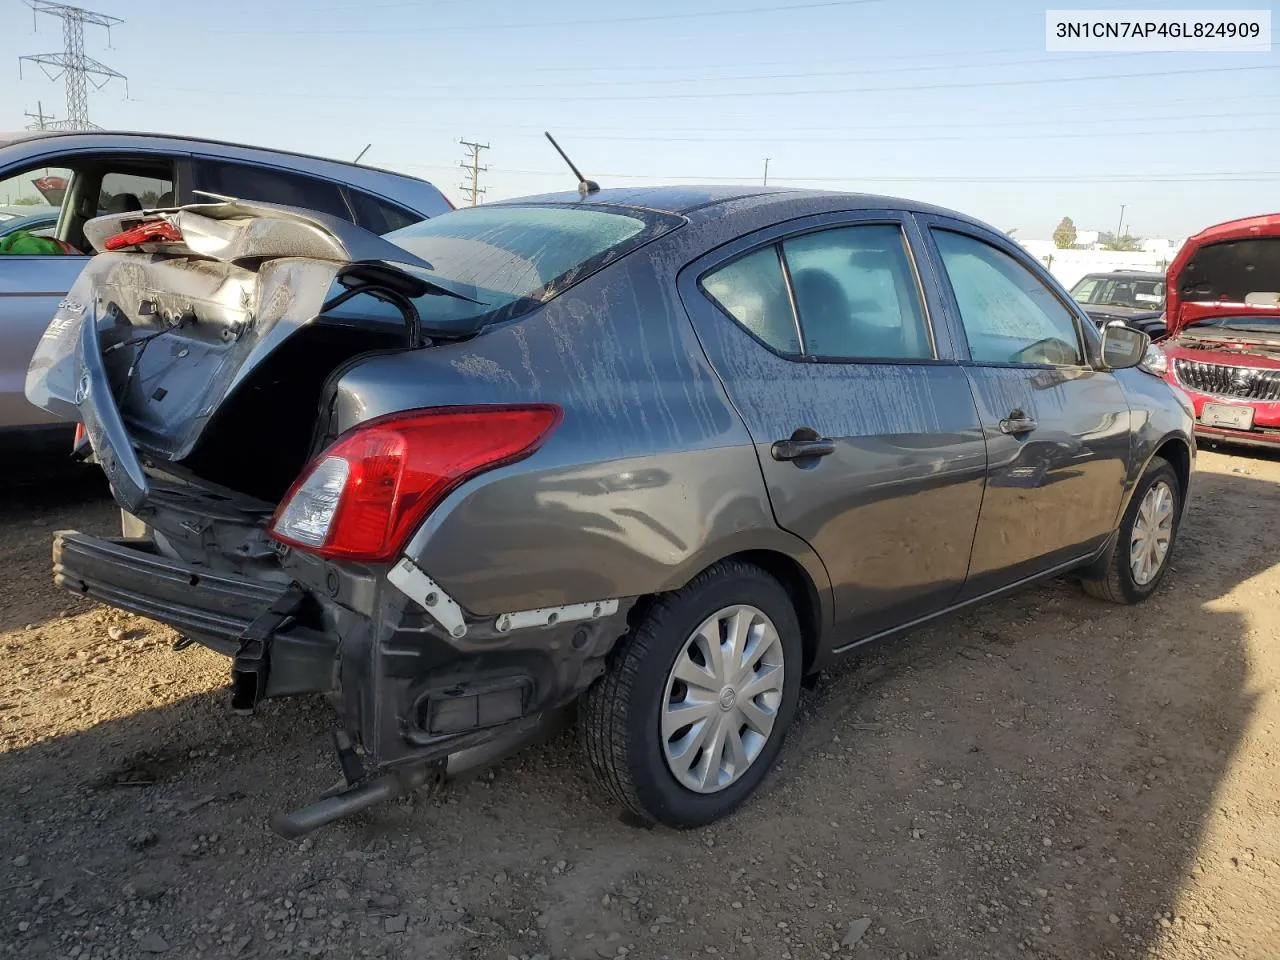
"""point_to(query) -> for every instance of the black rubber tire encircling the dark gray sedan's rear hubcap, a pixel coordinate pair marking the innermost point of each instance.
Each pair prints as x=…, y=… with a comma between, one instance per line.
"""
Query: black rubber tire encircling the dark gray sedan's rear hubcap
x=620, y=716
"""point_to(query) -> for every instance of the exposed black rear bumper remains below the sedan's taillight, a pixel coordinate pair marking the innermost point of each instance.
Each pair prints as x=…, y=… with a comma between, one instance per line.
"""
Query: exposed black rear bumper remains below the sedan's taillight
x=413, y=676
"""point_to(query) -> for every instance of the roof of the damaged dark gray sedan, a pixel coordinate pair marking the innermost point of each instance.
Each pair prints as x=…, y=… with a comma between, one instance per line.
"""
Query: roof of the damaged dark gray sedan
x=684, y=200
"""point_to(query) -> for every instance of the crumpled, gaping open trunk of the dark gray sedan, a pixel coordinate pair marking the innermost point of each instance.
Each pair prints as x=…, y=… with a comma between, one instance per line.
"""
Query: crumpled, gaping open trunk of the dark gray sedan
x=199, y=358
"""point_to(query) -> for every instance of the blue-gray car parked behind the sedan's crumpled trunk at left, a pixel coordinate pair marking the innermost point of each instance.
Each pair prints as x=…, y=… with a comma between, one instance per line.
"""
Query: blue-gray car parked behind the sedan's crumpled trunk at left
x=80, y=176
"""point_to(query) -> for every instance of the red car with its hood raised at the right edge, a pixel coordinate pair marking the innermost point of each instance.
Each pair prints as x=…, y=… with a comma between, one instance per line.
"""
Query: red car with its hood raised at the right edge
x=1223, y=312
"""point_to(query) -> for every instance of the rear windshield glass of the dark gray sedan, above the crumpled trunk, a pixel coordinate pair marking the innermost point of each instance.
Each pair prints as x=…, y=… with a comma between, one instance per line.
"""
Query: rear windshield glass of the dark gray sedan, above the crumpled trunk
x=505, y=260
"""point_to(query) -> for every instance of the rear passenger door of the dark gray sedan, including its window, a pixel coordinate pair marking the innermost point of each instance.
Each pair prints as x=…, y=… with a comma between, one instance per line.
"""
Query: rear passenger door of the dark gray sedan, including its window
x=865, y=426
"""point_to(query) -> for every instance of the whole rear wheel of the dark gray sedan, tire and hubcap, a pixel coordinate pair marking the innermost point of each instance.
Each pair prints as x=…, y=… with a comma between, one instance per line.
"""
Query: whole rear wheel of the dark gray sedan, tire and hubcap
x=693, y=711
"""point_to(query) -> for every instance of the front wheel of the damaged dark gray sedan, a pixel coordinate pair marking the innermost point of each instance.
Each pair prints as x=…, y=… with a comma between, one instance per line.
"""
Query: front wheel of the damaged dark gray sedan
x=1146, y=540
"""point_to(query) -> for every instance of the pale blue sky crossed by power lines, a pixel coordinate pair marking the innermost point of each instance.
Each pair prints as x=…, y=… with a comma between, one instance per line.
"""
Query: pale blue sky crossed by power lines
x=950, y=103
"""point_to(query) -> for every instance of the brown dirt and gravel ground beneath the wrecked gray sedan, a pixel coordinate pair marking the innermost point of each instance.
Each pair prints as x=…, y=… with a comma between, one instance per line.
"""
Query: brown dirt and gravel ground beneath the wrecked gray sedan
x=1045, y=776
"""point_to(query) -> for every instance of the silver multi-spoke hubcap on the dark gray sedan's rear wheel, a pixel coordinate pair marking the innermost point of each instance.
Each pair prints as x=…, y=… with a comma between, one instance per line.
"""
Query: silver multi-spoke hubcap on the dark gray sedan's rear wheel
x=723, y=698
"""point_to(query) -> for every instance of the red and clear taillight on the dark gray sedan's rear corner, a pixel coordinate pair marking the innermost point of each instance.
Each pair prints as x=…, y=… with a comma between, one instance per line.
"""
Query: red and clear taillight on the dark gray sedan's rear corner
x=365, y=496
